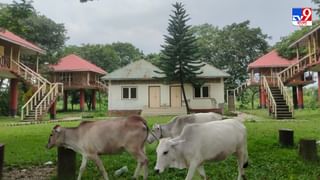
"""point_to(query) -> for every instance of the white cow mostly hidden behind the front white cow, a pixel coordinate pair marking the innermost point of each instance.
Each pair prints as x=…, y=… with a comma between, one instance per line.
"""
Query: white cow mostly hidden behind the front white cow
x=176, y=125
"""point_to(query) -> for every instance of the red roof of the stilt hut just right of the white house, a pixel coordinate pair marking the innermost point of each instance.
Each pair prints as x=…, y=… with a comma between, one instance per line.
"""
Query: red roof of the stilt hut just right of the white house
x=271, y=59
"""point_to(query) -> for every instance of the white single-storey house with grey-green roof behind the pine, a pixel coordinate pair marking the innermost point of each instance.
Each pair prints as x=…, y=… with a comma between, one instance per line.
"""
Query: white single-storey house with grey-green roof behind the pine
x=133, y=89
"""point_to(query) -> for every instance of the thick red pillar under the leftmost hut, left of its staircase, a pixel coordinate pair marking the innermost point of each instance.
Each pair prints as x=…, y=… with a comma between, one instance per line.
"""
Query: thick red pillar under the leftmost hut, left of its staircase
x=13, y=97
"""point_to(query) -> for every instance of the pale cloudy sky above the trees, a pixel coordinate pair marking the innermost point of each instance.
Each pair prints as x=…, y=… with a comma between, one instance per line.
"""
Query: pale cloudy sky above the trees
x=143, y=22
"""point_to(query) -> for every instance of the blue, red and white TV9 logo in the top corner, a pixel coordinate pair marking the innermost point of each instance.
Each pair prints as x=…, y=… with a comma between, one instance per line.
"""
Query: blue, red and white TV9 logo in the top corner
x=302, y=16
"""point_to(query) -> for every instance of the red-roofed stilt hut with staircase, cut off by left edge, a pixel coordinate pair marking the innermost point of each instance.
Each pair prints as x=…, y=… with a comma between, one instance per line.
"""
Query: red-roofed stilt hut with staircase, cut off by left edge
x=11, y=49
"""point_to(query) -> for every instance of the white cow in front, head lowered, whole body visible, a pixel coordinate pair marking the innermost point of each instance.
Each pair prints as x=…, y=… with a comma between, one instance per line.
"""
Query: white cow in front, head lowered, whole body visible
x=203, y=142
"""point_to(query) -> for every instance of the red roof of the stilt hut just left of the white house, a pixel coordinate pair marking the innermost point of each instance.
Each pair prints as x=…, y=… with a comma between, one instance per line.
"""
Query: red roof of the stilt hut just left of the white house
x=74, y=63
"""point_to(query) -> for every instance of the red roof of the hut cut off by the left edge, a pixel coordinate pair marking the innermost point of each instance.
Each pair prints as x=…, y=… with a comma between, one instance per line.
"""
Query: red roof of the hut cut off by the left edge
x=15, y=39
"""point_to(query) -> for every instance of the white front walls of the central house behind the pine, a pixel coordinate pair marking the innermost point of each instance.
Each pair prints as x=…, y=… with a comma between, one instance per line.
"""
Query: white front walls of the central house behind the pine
x=115, y=101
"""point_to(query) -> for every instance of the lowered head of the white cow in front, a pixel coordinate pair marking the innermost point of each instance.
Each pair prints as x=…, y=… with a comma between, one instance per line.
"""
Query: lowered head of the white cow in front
x=168, y=155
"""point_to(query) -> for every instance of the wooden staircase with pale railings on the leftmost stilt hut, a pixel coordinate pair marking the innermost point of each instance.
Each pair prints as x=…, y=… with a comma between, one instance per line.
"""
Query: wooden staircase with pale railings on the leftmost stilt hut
x=37, y=106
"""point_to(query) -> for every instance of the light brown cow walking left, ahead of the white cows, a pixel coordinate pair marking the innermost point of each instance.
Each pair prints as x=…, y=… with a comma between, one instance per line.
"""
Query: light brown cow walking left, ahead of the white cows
x=95, y=138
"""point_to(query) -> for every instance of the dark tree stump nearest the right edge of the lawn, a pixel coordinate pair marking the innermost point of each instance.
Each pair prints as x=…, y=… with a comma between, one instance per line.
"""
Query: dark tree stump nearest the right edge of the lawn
x=308, y=149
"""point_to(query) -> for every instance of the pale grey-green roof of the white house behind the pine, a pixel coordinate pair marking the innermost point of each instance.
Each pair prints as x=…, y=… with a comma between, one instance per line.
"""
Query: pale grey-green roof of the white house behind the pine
x=143, y=70
